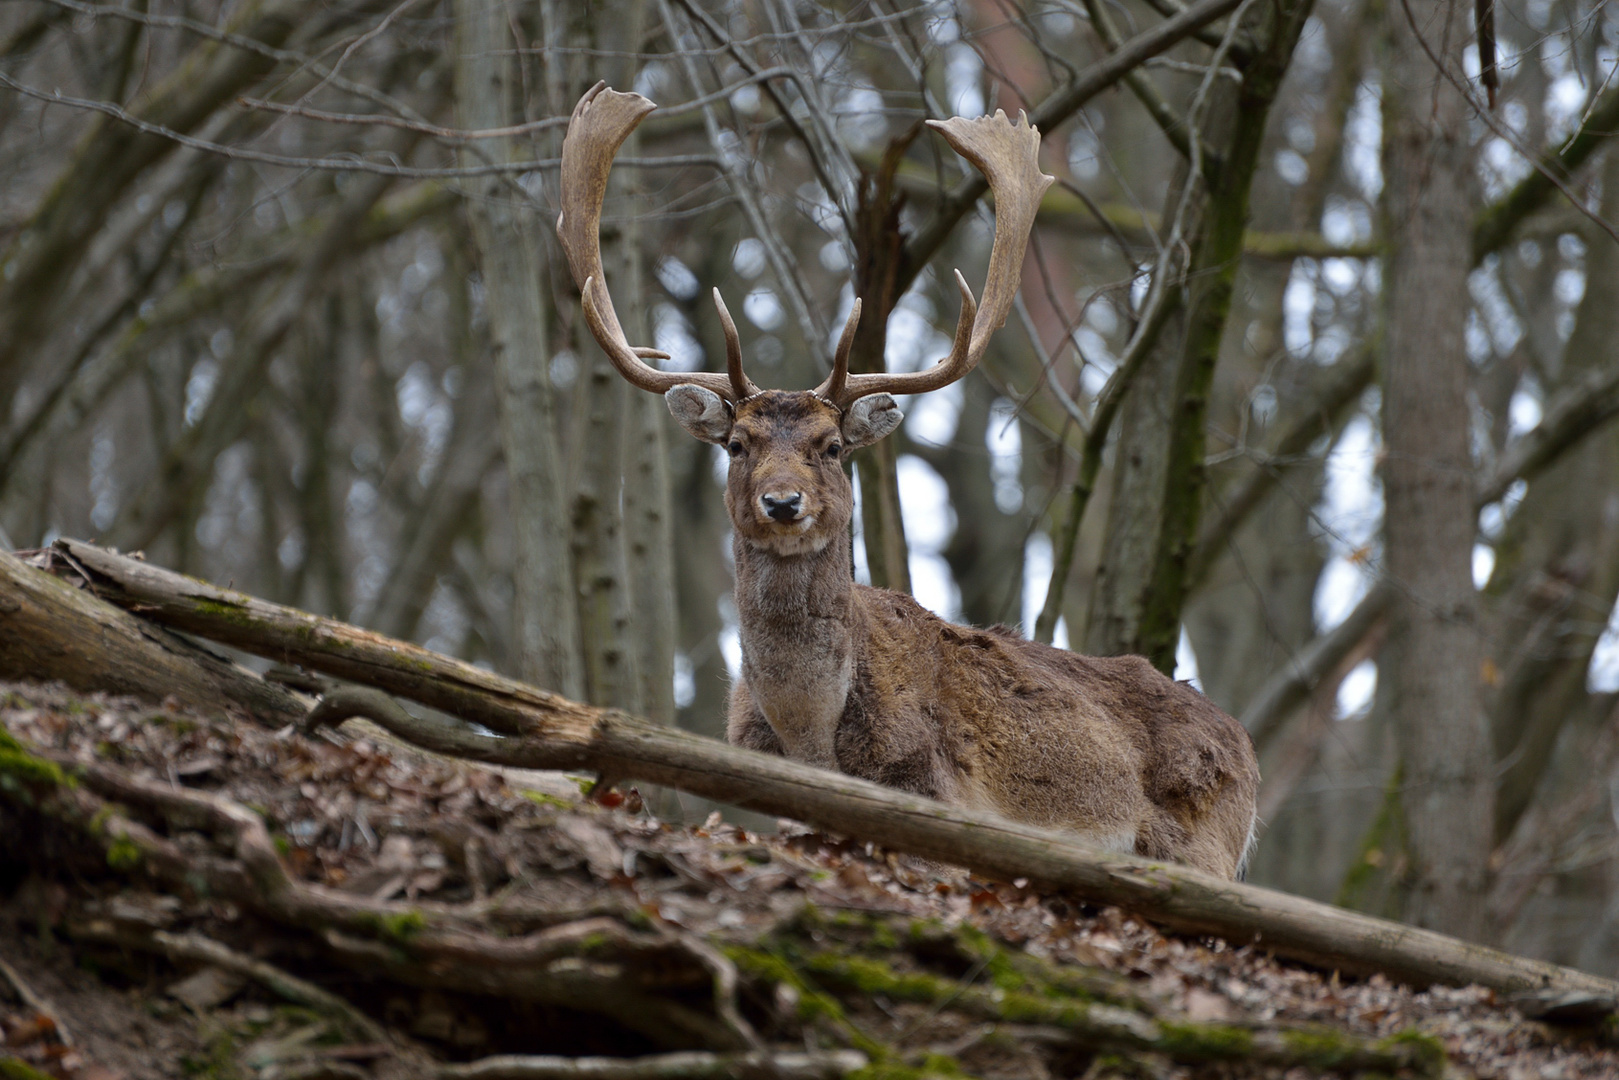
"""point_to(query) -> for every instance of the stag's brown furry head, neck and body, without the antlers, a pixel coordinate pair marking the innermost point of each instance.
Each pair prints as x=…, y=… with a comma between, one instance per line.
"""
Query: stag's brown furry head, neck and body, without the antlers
x=869, y=682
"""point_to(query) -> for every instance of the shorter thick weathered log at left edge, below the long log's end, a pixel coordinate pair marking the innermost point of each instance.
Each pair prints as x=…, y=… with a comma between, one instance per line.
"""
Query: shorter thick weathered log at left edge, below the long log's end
x=54, y=632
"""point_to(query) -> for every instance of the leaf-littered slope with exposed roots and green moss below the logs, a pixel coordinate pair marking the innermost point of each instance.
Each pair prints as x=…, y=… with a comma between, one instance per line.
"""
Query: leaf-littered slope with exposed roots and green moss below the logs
x=453, y=916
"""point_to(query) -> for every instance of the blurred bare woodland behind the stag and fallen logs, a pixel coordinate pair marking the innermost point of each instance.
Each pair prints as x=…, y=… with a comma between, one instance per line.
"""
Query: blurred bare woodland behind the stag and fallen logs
x=1306, y=396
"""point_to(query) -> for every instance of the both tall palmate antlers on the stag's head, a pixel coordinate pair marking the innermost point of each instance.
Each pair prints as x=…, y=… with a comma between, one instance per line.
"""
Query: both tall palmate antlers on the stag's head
x=1006, y=153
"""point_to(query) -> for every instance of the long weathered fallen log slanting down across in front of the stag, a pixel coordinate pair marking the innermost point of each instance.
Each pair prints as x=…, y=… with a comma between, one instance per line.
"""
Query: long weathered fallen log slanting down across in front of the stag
x=545, y=731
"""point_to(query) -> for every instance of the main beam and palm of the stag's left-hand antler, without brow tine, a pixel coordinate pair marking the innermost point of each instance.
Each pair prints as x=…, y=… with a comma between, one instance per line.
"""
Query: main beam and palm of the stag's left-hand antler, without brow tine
x=600, y=125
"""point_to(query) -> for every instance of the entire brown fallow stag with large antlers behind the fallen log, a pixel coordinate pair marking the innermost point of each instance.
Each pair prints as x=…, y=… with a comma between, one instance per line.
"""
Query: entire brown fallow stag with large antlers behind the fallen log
x=865, y=681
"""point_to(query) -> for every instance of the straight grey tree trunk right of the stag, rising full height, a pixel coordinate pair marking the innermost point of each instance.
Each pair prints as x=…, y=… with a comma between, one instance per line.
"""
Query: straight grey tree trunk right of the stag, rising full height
x=1434, y=655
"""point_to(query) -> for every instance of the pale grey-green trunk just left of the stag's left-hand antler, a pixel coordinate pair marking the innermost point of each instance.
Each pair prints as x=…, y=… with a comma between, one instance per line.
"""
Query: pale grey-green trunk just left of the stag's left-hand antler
x=509, y=253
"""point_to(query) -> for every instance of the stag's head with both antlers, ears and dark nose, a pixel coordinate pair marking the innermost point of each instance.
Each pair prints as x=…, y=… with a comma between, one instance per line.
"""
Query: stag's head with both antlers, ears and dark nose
x=788, y=491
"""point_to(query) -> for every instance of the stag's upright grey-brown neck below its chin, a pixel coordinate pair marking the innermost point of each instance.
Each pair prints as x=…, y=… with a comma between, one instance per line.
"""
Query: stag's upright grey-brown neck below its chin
x=799, y=642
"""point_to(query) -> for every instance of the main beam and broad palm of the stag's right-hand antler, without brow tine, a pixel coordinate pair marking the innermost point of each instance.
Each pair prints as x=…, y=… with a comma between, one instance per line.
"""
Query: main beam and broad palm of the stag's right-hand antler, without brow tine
x=1009, y=158
